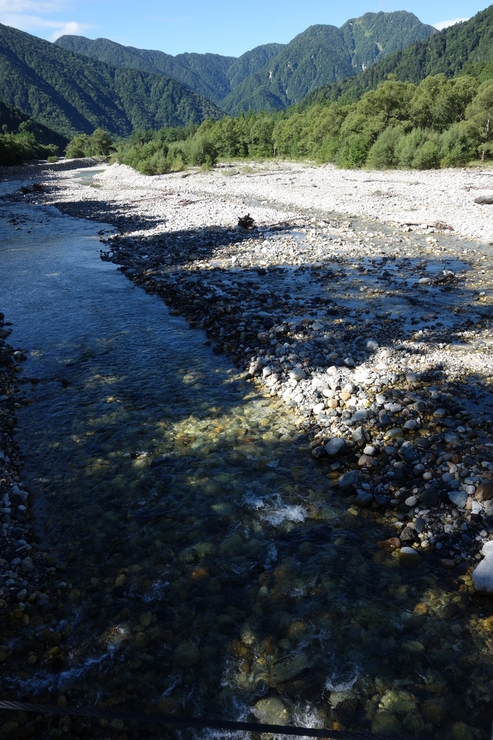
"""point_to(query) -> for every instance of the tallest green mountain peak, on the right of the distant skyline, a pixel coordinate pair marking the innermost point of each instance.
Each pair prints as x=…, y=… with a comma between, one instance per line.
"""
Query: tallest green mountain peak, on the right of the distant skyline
x=323, y=54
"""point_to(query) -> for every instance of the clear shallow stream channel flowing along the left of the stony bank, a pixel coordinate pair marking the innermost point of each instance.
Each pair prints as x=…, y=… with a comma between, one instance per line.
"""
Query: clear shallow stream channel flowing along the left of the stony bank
x=207, y=566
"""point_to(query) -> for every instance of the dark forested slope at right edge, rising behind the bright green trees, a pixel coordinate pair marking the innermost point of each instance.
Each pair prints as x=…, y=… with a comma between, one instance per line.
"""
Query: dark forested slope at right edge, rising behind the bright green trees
x=463, y=48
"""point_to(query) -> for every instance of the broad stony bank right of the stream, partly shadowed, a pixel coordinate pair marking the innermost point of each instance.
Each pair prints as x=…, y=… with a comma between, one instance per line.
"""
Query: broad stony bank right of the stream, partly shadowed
x=378, y=336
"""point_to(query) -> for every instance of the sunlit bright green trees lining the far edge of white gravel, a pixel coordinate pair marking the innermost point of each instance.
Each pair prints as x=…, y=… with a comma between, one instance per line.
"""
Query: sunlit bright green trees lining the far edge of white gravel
x=439, y=123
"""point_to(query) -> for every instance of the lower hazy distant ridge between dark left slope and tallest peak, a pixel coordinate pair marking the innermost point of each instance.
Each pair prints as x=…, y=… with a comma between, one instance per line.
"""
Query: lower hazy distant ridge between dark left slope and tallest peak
x=211, y=75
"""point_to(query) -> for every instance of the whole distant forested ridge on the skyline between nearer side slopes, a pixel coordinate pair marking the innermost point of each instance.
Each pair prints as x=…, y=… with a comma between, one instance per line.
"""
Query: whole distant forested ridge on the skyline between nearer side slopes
x=272, y=76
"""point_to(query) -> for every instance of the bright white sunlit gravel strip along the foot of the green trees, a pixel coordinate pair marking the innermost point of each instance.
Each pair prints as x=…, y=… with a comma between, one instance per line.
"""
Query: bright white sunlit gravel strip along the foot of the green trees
x=403, y=197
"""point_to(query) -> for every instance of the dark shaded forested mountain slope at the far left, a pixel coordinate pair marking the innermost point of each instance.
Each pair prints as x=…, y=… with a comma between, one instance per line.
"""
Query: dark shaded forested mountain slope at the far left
x=71, y=93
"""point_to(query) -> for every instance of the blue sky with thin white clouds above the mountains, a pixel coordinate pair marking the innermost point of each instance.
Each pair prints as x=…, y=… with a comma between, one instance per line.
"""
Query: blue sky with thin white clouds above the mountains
x=228, y=27
